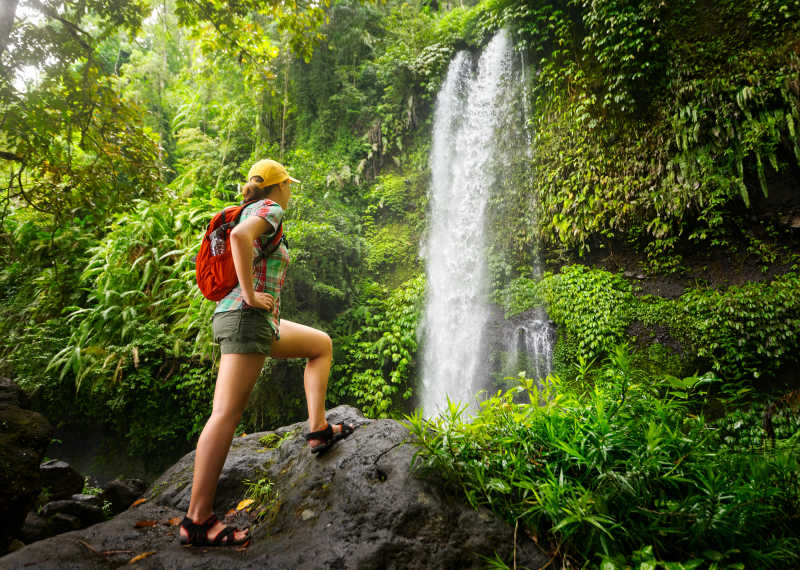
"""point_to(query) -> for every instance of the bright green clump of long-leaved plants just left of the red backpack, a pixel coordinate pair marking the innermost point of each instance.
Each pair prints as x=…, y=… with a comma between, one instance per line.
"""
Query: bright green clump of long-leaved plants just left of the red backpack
x=141, y=272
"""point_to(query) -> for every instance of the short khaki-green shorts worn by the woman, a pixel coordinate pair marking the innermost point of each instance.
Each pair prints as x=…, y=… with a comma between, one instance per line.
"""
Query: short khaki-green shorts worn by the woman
x=243, y=332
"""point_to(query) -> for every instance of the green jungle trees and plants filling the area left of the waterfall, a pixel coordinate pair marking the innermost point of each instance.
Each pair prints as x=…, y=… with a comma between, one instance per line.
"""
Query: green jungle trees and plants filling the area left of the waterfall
x=99, y=307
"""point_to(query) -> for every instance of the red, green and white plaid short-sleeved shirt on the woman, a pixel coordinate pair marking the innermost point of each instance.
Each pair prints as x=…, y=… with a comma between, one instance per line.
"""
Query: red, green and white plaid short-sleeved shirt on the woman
x=268, y=274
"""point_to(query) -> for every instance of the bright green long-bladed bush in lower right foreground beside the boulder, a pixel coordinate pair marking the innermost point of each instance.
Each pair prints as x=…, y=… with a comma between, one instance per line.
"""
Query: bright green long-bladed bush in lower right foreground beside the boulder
x=595, y=472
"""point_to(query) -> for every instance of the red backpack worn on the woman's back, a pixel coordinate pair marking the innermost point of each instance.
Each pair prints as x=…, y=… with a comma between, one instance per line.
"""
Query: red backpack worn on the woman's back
x=214, y=269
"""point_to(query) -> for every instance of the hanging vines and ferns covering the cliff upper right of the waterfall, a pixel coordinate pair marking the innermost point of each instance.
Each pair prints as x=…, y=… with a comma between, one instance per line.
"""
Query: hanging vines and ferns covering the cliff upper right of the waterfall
x=656, y=122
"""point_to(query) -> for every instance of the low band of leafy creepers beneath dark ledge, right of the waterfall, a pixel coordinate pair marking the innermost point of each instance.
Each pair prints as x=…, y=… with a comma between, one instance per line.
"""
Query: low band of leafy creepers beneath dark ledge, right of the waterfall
x=742, y=332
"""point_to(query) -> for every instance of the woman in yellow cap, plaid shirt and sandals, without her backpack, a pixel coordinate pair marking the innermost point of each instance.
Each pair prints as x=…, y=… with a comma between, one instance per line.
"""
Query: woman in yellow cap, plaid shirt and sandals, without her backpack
x=248, y=327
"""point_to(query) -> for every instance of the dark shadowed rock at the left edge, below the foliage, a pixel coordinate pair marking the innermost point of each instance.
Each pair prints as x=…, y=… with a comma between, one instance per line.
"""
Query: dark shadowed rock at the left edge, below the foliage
x=24, y=436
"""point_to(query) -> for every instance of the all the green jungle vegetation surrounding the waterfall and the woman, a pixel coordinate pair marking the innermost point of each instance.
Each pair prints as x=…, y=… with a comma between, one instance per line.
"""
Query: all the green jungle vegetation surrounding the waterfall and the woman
x=664, y=137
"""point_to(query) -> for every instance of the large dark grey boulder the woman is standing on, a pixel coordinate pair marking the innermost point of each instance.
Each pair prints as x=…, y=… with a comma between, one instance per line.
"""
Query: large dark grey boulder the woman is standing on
x=357, y=506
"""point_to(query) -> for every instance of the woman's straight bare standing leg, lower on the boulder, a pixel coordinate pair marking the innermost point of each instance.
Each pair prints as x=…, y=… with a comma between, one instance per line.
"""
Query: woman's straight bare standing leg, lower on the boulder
x=237, y=376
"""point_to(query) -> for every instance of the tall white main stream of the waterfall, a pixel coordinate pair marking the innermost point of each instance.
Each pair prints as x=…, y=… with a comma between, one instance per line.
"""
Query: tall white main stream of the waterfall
x=469, y=112
